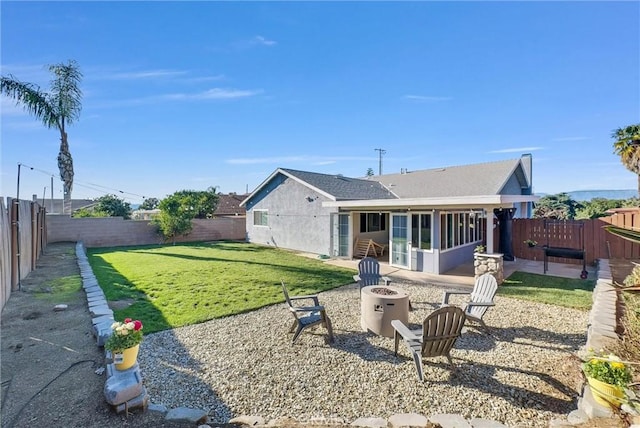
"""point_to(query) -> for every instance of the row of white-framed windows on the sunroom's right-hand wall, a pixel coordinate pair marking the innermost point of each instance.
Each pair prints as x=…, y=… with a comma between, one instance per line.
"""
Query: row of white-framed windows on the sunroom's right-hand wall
x=460, y=228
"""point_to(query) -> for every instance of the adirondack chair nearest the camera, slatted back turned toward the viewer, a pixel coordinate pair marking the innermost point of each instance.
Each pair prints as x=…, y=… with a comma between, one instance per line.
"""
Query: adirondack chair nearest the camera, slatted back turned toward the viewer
x=436, y=338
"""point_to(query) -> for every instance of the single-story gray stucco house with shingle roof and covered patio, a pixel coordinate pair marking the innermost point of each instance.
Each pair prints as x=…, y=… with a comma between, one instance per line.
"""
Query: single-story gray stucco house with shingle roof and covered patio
x=430, y=220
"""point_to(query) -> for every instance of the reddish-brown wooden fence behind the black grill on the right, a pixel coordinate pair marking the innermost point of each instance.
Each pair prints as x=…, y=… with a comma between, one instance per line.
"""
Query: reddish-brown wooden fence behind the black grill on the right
x=589, y=235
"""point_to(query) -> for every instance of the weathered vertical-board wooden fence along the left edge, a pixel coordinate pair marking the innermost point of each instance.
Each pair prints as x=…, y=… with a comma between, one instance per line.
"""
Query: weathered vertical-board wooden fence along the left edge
x=23, y=237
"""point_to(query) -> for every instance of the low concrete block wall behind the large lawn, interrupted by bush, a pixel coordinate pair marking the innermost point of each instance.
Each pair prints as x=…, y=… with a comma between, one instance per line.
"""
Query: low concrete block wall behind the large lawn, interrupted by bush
x=115, y=231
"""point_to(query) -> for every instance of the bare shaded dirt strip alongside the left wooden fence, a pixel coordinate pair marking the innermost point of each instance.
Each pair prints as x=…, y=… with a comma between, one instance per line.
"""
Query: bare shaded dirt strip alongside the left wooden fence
x=49, y=359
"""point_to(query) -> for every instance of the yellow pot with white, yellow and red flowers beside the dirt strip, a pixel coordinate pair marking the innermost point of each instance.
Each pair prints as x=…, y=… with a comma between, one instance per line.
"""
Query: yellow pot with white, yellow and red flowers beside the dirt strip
x=124, y=343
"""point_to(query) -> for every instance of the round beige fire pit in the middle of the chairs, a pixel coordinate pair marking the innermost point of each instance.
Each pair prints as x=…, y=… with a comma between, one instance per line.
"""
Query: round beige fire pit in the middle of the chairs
x=380, y=305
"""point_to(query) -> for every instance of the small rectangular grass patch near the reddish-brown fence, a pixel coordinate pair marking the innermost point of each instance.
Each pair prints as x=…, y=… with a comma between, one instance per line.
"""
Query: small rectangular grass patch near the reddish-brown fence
x=567, y=292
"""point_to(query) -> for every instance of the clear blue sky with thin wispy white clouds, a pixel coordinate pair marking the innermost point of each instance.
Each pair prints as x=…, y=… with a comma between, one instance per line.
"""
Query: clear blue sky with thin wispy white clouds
x=195, y=94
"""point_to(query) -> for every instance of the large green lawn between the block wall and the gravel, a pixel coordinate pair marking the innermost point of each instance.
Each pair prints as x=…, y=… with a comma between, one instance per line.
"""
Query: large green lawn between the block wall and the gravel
x=175, y=285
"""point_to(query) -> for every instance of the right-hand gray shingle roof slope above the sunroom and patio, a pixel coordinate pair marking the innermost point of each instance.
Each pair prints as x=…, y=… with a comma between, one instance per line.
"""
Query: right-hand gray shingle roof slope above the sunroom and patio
x=465, y=180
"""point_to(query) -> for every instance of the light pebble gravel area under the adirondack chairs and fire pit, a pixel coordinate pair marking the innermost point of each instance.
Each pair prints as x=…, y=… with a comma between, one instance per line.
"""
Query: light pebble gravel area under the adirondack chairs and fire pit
x=524, y=375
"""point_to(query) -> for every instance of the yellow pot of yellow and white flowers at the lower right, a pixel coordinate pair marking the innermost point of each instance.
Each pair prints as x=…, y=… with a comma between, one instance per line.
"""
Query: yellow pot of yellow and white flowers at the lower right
x=608, y=377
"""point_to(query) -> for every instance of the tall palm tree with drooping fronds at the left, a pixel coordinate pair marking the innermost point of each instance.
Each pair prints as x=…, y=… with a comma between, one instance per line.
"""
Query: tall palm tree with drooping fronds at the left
x=56, y=109
